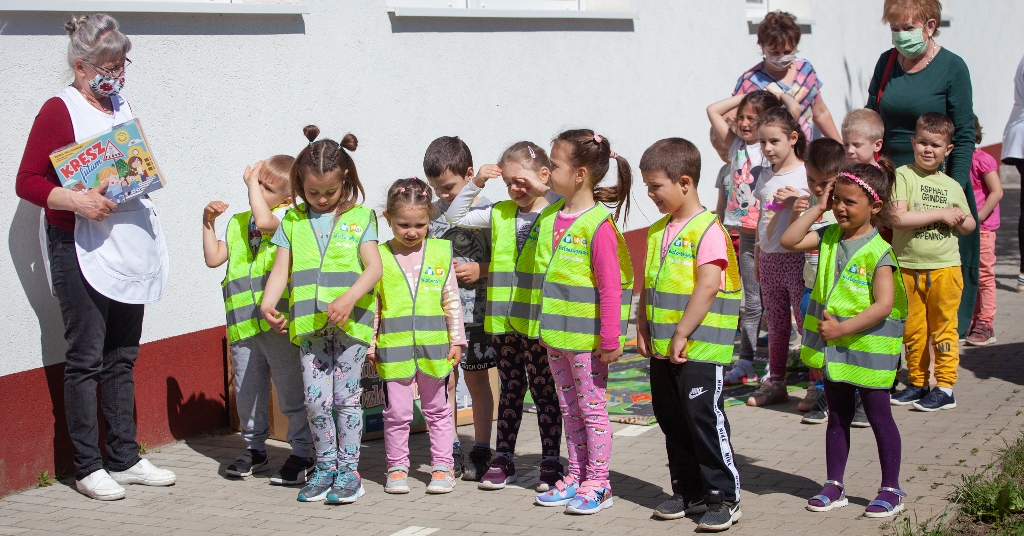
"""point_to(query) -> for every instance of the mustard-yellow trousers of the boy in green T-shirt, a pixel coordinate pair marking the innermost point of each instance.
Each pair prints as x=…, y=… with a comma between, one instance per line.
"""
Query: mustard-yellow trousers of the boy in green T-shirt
x=933, y=298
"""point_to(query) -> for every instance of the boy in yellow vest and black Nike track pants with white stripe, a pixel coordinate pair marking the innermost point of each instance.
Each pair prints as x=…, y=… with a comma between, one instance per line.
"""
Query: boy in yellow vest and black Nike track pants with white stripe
x=688, y=321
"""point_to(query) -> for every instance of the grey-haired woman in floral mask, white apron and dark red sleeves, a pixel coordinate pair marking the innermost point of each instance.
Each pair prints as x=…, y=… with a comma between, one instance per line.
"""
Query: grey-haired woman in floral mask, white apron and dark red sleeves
x=106, y=262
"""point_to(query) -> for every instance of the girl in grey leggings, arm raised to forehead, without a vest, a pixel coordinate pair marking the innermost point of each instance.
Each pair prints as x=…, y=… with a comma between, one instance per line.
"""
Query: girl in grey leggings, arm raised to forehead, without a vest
x=742, y=210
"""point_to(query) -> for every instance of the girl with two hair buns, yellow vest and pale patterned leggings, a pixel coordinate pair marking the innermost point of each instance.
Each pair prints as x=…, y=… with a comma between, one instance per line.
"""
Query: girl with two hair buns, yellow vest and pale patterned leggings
x=327, y=248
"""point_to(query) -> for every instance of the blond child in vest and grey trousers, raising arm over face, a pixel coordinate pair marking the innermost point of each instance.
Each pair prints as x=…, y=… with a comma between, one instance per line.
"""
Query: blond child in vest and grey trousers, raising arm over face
x=257, y=350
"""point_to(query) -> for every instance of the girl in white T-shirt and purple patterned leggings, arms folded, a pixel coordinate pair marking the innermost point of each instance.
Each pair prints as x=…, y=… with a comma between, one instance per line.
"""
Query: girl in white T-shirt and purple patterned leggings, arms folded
x=780, y=272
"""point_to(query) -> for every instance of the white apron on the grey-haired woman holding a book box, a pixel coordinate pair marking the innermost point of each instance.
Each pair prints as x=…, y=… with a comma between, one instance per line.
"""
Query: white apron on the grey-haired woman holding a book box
x=124, y=258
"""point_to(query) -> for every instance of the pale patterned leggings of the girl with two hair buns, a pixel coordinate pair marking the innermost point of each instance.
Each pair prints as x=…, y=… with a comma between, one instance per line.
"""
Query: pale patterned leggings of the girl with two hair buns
x=331, y=375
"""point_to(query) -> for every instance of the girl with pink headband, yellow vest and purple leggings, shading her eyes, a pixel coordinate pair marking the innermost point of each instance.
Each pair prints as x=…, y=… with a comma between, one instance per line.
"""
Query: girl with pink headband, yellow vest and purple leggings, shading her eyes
x=855, y=326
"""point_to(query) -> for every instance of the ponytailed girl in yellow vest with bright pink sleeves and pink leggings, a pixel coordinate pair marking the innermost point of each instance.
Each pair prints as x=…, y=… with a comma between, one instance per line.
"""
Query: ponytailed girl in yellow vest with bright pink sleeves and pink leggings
x=580, y=159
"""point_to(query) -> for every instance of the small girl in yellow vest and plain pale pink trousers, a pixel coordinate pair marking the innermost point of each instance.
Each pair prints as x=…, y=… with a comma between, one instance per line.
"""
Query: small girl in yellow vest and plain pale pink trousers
x=418, y=337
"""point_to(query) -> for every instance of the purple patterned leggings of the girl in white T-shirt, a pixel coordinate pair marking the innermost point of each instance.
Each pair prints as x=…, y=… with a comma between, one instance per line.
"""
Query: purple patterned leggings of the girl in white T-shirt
x=782, y=288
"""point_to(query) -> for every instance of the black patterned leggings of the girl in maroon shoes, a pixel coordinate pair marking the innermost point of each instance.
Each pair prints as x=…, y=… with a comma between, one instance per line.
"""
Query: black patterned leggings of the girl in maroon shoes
x=523, y=364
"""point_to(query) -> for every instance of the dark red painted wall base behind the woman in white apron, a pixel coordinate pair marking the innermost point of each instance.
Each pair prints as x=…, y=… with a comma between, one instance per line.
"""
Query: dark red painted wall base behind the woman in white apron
x=180, y=392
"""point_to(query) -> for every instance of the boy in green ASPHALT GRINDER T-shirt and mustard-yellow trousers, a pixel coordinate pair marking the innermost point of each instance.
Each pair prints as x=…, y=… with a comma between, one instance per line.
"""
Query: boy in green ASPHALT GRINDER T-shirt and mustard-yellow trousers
x=931, y=210
